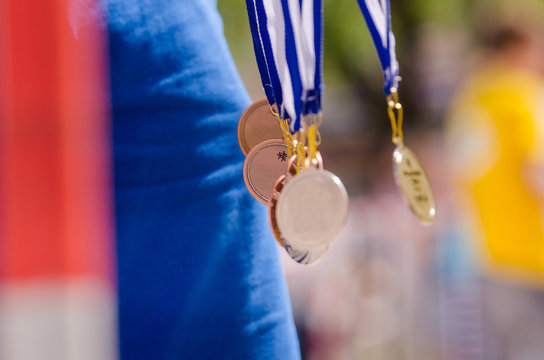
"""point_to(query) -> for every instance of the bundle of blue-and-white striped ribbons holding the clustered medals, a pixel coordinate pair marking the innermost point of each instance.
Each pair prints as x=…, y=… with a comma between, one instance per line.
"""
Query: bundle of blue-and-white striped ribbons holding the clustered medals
x=289, y=47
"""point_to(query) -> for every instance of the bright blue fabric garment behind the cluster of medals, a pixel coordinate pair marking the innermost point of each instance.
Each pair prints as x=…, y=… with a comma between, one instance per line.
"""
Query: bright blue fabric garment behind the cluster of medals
x=199, y=274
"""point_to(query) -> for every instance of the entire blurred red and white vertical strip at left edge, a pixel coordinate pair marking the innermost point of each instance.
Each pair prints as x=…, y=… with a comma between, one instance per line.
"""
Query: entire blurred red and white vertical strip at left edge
x=57, y=283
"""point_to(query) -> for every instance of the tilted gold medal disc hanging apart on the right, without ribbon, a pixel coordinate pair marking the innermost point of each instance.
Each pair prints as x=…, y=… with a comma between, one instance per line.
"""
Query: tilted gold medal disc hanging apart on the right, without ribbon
x=413, y=183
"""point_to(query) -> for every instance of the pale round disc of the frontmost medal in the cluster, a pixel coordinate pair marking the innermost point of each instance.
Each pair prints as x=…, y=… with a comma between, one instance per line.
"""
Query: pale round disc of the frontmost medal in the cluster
x=312, y=209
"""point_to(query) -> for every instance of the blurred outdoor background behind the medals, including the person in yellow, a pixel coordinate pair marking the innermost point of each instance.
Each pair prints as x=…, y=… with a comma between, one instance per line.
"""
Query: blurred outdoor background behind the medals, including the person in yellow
x=470, y=285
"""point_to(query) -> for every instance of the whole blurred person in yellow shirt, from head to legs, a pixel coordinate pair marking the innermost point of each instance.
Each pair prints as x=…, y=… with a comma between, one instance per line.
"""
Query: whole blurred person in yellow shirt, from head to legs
x=495, y=140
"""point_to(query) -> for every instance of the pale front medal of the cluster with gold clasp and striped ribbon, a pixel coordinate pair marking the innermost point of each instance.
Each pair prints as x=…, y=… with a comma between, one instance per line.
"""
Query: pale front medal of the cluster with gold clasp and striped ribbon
x=312, y=206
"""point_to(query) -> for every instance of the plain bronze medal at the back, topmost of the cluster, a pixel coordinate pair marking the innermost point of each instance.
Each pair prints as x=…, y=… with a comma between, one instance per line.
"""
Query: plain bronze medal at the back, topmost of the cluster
x=256, y=125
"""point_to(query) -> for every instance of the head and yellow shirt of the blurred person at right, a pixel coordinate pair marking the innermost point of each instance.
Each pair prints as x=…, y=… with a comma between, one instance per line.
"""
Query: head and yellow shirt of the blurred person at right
x=496, y=144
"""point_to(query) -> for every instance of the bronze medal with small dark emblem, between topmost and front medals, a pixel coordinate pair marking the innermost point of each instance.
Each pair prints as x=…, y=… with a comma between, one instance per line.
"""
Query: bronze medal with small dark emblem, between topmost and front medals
x=264, y=164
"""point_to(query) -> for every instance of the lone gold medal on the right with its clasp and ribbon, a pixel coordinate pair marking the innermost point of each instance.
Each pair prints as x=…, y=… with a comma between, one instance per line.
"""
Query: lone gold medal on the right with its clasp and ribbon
x=409, y=174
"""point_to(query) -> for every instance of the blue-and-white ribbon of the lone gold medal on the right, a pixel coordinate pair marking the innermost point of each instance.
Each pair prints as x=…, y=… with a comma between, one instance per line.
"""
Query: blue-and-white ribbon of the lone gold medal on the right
x=377, y=14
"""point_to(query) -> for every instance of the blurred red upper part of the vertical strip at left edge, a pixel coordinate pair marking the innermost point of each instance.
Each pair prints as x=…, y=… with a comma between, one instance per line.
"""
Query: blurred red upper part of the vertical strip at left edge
x=54, y=143
